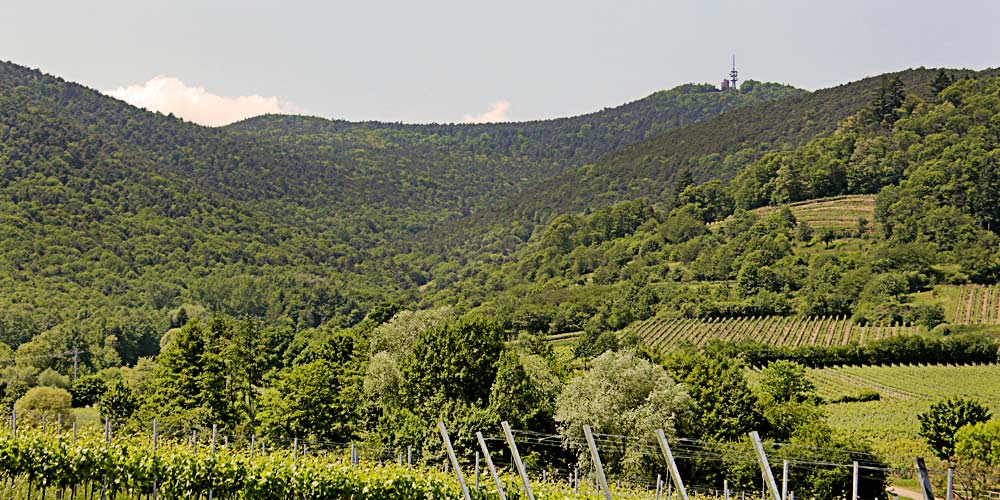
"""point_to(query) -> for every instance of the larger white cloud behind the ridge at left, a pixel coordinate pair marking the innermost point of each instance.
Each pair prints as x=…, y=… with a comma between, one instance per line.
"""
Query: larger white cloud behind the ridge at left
x=167, y=94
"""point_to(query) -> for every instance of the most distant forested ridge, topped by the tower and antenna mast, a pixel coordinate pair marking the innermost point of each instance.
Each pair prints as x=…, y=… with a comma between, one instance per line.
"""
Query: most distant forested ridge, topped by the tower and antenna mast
x=572, y=140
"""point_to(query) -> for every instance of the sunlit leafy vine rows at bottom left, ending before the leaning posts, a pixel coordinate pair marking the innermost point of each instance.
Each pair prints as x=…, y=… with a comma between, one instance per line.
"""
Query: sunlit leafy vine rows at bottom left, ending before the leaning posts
x=35, y=464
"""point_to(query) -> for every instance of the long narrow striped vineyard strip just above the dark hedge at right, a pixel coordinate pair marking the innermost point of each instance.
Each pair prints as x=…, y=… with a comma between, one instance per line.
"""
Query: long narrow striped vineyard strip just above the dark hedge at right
x=791, y=331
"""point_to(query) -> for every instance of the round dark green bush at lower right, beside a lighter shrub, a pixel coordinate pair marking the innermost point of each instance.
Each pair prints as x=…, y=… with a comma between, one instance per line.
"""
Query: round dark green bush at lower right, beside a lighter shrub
x=939, y=425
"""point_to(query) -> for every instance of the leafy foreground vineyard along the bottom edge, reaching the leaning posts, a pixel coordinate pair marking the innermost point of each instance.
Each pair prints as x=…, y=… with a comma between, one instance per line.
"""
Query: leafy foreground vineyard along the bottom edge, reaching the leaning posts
x=63, y=460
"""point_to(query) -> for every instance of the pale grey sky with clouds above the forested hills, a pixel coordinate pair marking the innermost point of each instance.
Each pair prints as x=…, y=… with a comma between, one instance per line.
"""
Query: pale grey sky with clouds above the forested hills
x=215, y=62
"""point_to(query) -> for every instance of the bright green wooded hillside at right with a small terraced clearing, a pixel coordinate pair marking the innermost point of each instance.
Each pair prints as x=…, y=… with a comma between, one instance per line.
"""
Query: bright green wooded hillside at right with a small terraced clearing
x=911, y=209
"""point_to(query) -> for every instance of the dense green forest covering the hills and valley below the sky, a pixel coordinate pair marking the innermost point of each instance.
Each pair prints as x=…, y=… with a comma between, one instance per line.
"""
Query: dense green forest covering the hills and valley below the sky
x=338, y=281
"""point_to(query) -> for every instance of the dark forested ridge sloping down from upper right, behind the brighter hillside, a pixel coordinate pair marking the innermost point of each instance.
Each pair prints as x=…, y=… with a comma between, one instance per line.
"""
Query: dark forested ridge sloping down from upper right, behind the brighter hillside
x=716, y=148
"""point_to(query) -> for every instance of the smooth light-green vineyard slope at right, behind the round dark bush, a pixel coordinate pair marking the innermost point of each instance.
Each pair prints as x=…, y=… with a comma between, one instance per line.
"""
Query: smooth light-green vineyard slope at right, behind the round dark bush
x=905, y=392
